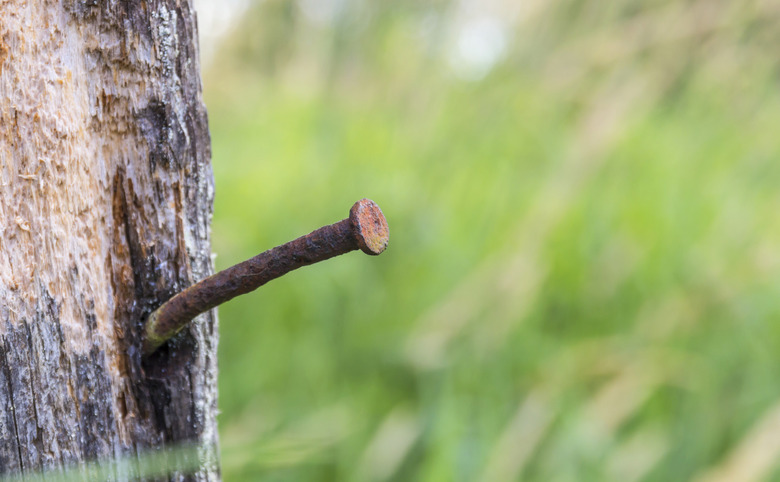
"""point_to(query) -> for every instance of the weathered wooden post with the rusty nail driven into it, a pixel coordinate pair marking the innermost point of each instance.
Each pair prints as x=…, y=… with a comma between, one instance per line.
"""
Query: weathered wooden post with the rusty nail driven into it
x=105, y=204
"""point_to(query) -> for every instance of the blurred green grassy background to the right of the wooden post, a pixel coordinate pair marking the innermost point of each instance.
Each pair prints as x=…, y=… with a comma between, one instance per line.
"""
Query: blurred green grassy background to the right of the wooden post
x=584, y=268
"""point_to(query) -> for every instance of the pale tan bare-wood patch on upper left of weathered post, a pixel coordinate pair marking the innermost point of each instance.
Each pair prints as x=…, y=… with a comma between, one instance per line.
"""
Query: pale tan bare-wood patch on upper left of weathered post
x=54, y=197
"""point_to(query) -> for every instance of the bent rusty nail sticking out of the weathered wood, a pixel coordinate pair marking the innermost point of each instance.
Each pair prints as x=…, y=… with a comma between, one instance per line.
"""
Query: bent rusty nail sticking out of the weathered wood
x=365, y=229
